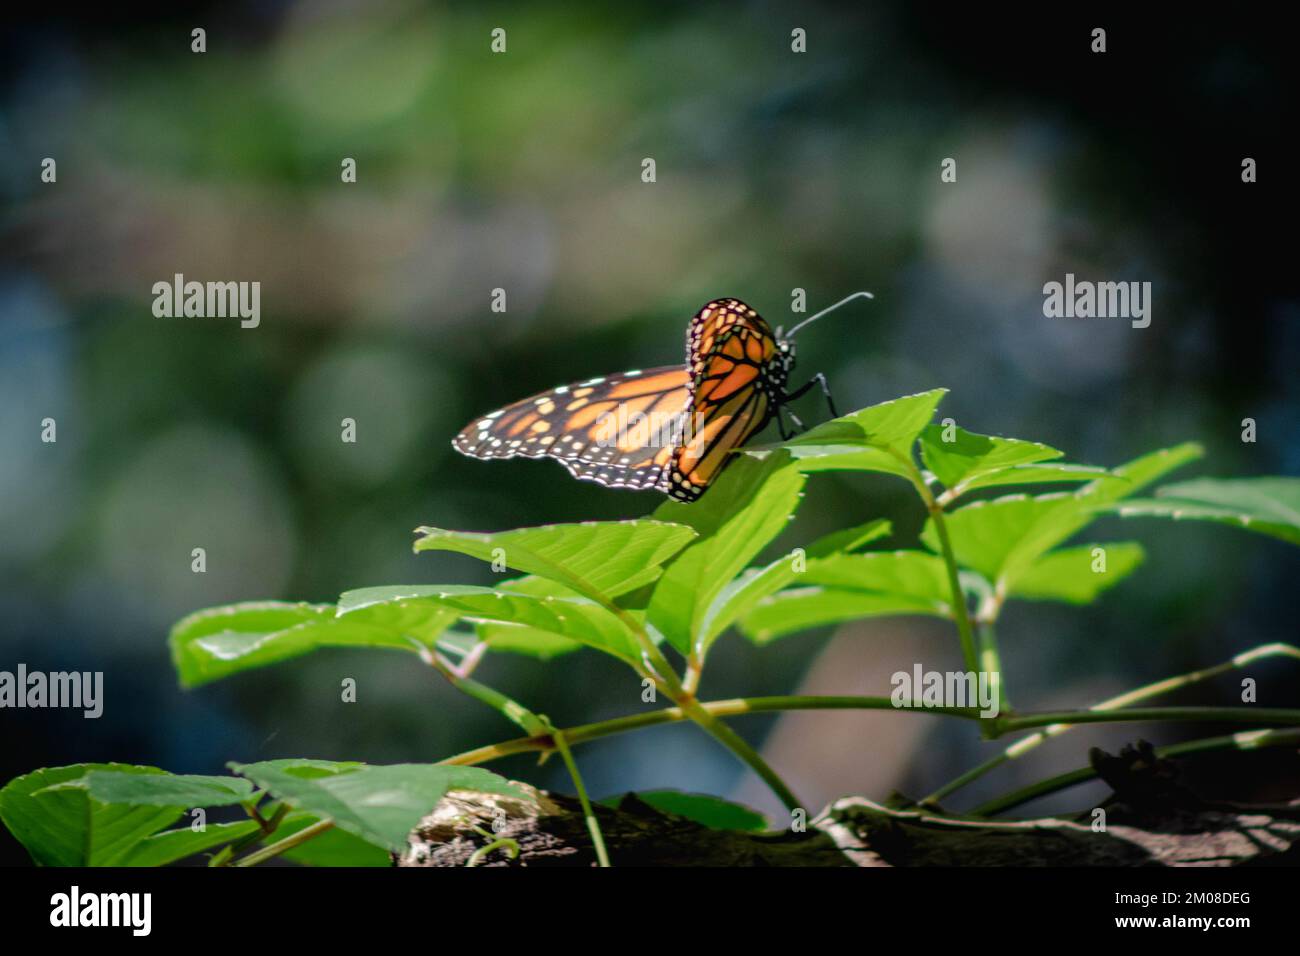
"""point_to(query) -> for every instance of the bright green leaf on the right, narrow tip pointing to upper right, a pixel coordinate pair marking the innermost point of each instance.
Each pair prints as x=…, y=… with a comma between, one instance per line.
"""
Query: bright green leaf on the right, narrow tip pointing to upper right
x=1003, y=538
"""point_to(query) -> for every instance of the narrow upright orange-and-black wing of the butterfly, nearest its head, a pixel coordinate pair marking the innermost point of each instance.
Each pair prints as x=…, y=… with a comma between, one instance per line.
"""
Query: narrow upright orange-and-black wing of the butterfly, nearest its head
x=731, y=353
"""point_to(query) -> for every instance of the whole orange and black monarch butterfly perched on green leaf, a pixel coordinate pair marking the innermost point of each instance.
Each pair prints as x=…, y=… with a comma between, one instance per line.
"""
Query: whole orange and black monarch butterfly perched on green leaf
x=670, y=429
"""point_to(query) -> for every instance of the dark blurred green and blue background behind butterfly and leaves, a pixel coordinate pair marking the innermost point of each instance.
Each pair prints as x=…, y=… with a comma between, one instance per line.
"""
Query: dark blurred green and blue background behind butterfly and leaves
x=522, y=171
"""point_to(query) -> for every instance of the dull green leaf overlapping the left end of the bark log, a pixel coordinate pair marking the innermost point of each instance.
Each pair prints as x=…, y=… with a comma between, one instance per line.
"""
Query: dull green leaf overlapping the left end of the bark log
x=379, y=804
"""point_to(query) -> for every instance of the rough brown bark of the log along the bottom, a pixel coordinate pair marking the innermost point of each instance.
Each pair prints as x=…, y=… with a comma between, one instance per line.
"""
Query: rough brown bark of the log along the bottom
x=1150, y=821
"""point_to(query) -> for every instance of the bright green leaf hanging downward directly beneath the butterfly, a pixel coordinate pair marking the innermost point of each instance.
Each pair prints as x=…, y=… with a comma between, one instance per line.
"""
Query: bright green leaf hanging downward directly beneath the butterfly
x=748, y=507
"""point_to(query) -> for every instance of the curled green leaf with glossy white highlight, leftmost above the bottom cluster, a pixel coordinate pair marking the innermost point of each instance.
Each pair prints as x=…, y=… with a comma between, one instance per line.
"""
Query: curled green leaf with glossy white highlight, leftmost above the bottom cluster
x=220, y=642
